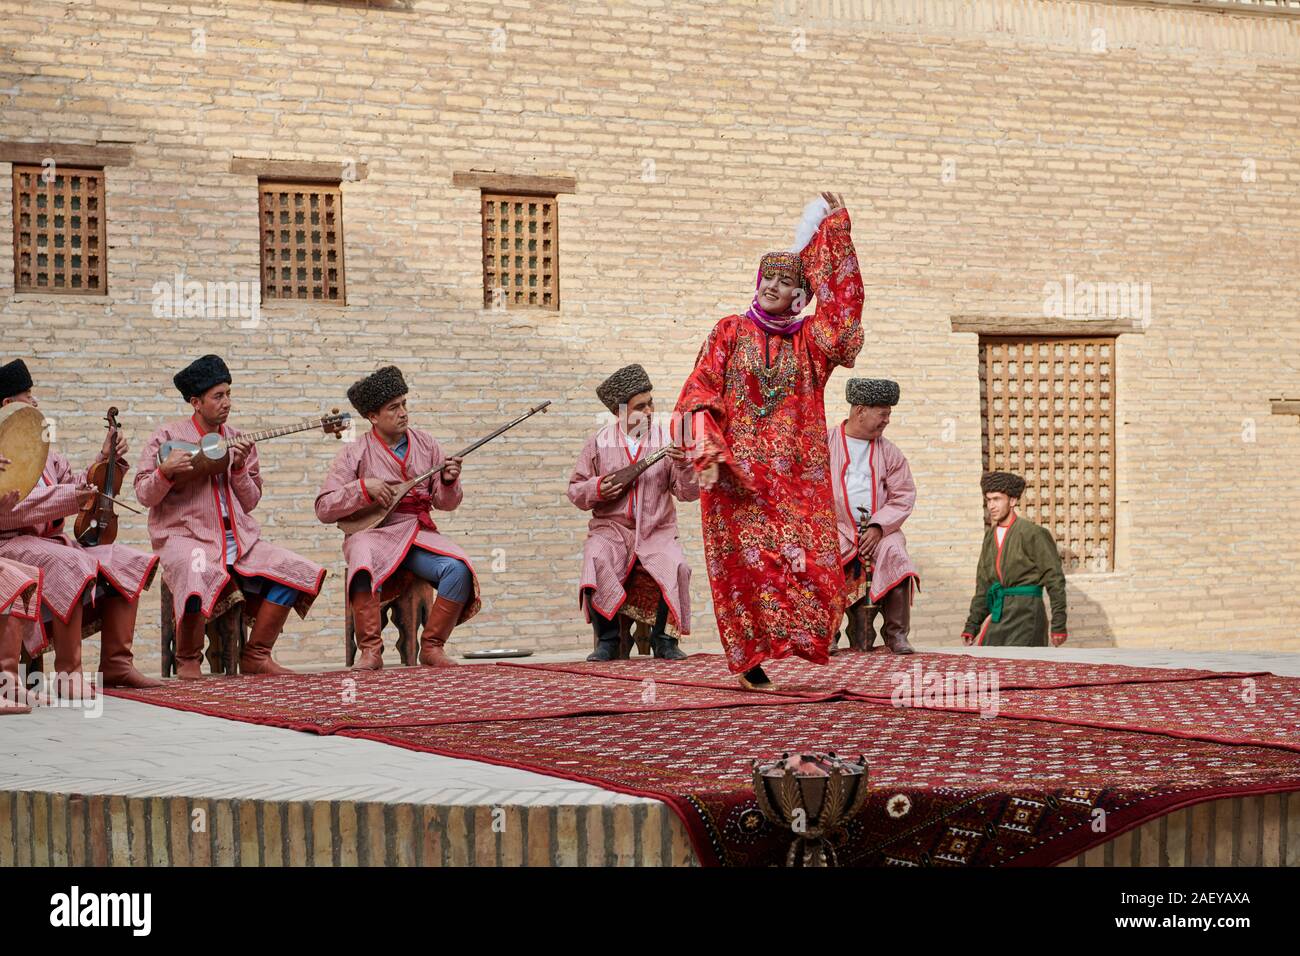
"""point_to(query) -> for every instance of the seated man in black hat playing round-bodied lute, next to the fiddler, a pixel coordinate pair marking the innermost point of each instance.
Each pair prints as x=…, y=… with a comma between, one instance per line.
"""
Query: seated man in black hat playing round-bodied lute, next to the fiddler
x=205, y=533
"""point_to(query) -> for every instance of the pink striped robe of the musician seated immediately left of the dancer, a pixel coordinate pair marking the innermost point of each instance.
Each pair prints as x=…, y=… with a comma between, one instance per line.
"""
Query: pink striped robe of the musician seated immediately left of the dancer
x=640, y=525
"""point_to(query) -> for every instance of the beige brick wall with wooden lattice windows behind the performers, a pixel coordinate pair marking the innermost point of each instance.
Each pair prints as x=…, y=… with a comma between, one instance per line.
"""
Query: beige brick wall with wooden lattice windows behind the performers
x=1111, y=157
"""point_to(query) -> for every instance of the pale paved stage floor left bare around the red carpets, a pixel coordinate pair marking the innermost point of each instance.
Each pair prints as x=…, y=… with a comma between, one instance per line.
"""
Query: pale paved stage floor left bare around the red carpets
x=141, y=750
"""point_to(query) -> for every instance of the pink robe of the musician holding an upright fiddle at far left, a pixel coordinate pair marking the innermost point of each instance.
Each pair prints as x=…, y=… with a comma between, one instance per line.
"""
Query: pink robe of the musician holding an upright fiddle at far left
x=34, y=534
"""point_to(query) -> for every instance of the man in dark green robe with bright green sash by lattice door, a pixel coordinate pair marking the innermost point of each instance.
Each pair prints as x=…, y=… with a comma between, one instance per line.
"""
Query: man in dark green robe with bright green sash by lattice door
x=1019, y=560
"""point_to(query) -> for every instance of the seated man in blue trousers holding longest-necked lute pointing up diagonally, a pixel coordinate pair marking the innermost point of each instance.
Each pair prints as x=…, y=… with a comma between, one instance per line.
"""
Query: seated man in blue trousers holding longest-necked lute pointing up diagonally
x=367, y=473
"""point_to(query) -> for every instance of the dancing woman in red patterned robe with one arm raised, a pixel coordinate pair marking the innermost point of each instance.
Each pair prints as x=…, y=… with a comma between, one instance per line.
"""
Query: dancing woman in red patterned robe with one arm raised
x=757, y=427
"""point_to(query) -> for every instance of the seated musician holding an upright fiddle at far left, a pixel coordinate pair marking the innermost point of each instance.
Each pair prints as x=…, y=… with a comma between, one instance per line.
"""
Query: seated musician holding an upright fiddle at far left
x=84, y=590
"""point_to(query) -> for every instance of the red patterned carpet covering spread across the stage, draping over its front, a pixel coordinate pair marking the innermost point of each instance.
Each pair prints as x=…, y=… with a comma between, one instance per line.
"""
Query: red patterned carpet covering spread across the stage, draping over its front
x=1076, y=755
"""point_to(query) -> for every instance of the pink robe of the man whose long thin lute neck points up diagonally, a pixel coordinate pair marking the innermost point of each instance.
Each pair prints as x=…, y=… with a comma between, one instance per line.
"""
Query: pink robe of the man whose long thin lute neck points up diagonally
x=382, y=551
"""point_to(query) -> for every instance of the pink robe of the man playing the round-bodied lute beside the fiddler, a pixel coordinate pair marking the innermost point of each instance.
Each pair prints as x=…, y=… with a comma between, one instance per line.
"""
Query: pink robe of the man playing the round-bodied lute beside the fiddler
x=187, y=531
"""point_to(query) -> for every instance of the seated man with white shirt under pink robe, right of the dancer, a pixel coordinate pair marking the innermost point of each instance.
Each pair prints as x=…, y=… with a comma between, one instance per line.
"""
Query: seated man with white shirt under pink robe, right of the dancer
x=874, y=495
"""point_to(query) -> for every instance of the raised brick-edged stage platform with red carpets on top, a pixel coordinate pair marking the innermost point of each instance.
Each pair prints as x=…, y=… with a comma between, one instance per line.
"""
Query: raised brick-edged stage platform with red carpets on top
x=149, y=785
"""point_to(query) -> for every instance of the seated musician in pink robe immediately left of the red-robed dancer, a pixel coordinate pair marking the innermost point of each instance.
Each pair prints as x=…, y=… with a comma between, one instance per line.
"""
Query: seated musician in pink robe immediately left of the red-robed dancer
x=632, y=563
